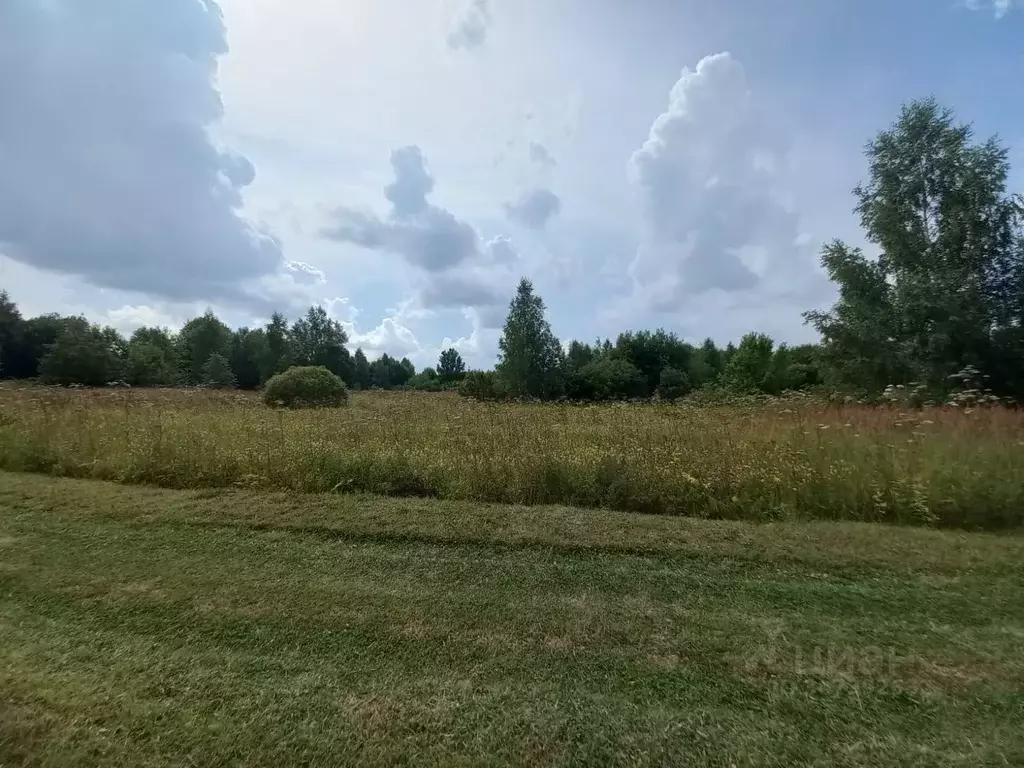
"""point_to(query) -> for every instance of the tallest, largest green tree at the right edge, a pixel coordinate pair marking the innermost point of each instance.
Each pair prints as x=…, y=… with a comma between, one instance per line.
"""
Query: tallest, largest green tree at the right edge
x=947, y=290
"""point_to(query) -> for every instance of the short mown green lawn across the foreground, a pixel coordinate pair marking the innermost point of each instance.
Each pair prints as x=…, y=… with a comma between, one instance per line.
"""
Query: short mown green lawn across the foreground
x=145, y=627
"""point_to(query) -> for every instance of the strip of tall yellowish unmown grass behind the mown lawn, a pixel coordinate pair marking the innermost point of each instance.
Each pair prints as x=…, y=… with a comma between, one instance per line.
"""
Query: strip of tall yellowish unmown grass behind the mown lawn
x=783, y=460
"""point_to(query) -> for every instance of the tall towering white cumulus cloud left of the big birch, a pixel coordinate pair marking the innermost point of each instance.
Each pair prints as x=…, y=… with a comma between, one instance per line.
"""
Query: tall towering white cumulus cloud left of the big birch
x=706, y=183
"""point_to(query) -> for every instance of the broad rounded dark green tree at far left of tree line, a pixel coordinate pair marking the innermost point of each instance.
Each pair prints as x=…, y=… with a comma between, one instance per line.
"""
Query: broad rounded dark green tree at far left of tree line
x=82, y=354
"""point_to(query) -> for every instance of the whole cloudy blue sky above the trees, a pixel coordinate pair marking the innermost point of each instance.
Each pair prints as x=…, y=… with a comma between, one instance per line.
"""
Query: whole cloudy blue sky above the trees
x=647, y=164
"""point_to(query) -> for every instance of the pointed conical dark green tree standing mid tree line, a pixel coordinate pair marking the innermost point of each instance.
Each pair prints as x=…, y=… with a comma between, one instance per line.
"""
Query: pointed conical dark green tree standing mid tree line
x=530, y=358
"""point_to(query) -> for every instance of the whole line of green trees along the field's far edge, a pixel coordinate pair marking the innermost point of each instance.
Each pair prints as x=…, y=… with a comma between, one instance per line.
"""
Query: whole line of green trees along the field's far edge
x=945, y=295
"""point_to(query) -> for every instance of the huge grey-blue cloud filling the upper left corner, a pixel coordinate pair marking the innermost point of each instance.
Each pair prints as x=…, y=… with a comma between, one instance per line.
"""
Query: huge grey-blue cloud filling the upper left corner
x=109, y=172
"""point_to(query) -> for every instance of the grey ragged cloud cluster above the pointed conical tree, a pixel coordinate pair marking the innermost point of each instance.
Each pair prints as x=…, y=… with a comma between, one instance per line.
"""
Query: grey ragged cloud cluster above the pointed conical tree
x=460, y=269
